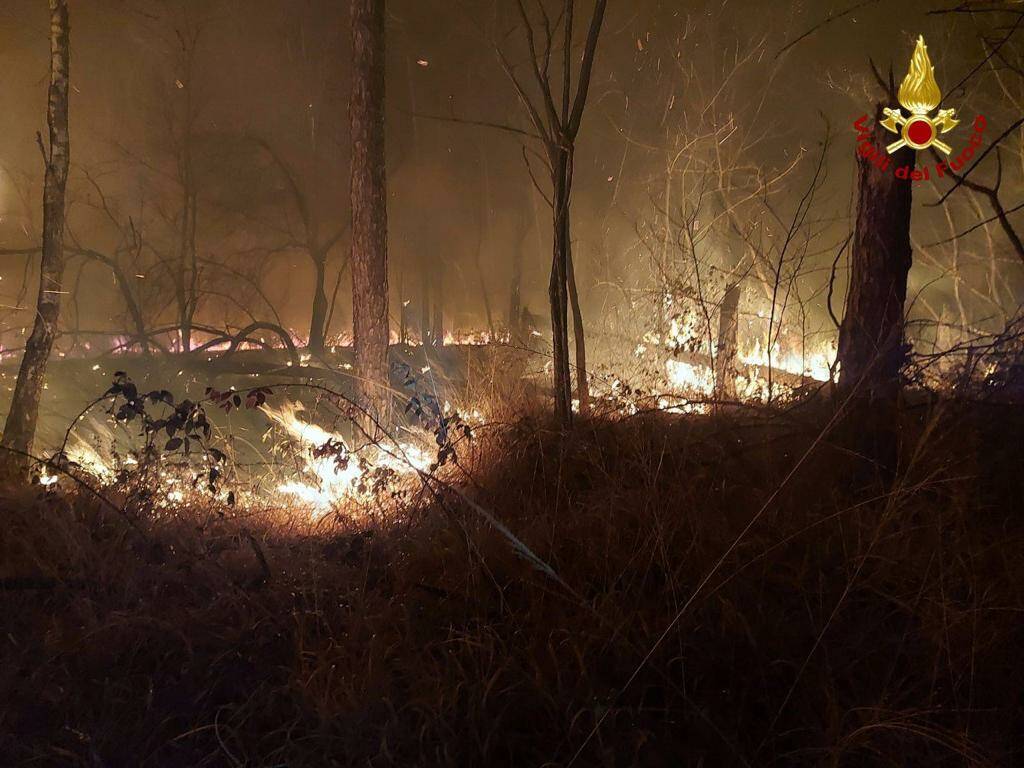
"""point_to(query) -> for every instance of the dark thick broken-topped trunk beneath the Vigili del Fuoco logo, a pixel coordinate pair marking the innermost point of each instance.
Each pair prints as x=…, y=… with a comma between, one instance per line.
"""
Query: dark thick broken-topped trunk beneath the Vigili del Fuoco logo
x=871, y=339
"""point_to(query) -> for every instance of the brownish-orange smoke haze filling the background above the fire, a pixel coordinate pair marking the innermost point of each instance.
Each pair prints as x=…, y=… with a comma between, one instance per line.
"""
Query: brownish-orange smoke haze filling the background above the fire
x=263, y=88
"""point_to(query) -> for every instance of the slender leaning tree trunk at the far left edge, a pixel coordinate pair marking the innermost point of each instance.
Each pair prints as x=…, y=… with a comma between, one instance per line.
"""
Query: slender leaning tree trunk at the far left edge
x=20, y=431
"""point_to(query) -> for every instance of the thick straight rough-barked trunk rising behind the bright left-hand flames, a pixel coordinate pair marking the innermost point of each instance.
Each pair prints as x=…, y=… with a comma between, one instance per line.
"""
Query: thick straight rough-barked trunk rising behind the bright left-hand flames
x=369, y=192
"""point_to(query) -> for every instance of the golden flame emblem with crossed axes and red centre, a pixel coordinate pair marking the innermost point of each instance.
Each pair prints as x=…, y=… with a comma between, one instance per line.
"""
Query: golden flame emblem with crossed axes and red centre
x=920, y=95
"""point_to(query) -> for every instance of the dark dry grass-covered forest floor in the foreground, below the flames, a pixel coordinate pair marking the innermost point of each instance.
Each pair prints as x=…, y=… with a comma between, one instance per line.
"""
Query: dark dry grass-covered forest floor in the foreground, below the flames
x=744, y=589
